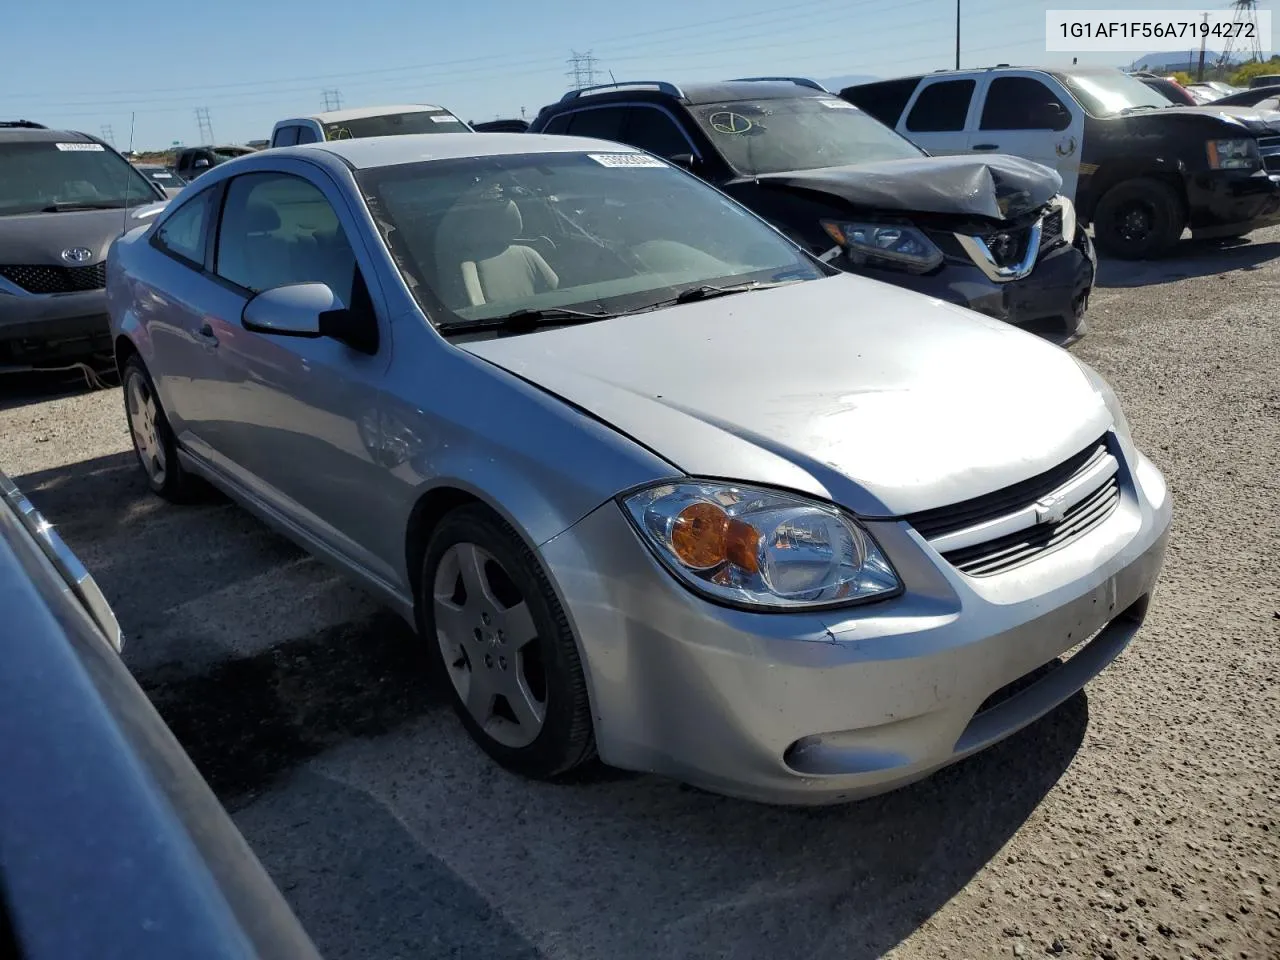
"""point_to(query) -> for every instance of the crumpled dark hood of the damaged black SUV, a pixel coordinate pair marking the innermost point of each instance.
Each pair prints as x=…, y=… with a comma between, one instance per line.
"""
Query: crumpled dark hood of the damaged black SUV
x=998, y=188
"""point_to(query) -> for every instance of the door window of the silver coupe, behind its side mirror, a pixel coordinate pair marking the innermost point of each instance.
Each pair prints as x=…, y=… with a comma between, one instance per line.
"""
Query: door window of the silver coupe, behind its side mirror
x=280, y=230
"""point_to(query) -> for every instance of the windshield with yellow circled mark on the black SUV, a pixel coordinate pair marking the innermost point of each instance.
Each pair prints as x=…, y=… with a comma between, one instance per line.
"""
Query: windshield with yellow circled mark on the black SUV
x=801, y=134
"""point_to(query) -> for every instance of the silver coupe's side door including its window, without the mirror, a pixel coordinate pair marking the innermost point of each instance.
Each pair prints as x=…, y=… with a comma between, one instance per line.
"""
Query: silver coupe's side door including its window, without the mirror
x=295, y=419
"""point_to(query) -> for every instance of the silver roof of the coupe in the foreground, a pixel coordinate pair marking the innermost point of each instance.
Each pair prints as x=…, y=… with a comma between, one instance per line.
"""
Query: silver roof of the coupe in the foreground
x=367, y=153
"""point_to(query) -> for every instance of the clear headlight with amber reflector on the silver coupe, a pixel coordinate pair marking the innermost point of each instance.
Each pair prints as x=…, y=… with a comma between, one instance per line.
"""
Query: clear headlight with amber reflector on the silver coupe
x=760, y=548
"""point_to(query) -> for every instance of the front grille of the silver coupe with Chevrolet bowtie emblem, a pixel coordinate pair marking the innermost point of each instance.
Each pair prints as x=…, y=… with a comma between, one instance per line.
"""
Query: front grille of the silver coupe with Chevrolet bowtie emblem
x=1012, y=527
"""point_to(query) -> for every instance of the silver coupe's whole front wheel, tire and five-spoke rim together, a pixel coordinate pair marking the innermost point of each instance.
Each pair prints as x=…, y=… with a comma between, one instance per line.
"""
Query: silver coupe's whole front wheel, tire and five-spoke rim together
x=499, y=632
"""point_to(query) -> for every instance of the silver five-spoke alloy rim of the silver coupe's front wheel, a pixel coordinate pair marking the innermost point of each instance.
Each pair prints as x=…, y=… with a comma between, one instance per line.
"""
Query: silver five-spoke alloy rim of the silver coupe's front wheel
x=490, y=644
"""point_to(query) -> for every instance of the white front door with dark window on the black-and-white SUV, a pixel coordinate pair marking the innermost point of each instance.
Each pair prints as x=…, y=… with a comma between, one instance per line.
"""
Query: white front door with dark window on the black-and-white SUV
x=1034, y=117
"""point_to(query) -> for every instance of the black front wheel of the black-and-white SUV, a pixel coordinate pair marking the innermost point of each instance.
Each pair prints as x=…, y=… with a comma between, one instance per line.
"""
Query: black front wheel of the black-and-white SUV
x=1139, y=220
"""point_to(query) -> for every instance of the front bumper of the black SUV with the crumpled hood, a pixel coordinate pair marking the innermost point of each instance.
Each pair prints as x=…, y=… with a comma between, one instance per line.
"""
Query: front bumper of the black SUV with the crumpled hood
x=1050, y=303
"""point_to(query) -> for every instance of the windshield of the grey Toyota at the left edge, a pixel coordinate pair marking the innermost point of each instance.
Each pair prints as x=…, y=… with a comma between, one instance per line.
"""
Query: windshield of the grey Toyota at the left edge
x=49, y=176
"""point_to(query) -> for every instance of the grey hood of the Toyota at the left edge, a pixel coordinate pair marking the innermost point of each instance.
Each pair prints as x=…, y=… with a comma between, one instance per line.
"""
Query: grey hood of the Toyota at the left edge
x=40, y=239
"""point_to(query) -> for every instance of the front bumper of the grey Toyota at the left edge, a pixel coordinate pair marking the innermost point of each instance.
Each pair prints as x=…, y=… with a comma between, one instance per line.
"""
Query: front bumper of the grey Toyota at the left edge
x=44, y=330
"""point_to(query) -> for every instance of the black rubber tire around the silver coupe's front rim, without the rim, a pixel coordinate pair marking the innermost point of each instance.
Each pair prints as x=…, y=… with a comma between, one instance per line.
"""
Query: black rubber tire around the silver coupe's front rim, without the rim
x=566, y=739
